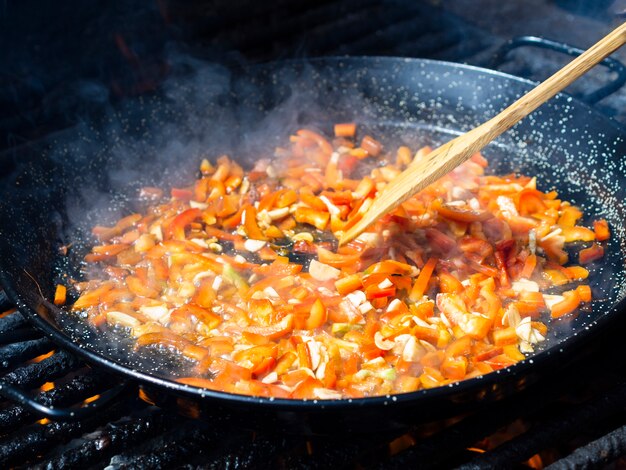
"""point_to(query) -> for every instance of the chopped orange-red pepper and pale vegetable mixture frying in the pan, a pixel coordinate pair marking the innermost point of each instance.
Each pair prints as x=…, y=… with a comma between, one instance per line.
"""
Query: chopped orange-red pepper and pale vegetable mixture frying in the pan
x=241, y=273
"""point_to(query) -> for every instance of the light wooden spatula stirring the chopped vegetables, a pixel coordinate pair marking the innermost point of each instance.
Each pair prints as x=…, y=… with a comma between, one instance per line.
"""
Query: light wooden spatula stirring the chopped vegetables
x=447, y=157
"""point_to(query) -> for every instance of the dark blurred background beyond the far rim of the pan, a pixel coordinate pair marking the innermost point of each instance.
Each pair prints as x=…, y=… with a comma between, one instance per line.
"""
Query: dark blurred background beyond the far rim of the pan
x=62, y=61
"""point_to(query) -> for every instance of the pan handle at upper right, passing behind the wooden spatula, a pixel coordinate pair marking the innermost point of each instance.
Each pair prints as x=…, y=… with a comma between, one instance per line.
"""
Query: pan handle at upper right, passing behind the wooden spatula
x=533, y=41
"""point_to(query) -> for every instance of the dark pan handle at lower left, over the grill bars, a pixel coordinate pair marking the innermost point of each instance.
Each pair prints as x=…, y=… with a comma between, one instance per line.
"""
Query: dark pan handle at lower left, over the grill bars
x=106, y=399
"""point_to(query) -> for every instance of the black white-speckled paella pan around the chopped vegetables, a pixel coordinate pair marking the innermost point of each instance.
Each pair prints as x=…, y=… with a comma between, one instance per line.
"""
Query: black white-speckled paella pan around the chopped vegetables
x=53, y=200
